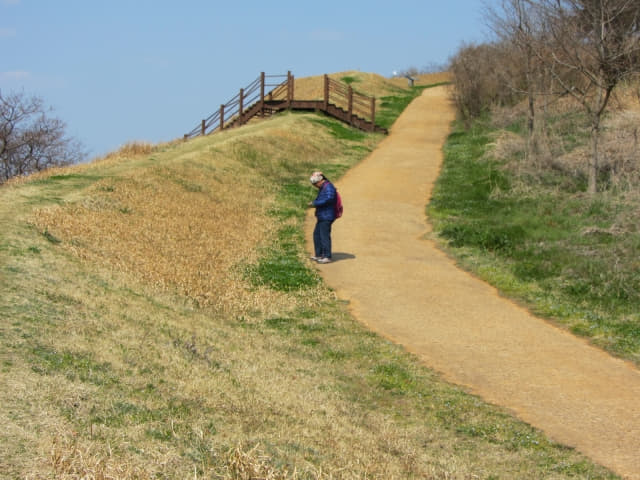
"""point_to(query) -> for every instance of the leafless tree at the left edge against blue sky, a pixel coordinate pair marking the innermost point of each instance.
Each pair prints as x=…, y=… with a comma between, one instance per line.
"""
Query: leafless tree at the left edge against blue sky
x=30, y=140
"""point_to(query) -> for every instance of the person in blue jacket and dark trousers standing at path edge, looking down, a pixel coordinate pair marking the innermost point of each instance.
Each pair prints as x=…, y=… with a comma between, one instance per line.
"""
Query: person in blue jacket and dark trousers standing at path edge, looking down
x=325, y=216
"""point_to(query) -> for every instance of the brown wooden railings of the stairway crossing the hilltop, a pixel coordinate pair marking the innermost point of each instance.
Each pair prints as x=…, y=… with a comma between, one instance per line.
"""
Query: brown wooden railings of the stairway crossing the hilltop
x=340, y=101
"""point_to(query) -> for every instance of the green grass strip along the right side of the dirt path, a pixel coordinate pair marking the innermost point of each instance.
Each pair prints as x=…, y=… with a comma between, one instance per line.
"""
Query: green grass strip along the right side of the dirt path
x=554, y=248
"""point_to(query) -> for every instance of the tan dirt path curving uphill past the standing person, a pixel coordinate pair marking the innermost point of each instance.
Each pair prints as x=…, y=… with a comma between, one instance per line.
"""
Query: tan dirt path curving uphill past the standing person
x=401, y=286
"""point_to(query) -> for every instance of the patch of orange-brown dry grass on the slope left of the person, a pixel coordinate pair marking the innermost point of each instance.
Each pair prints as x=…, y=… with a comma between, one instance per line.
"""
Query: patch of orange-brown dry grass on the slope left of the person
x=171, y=226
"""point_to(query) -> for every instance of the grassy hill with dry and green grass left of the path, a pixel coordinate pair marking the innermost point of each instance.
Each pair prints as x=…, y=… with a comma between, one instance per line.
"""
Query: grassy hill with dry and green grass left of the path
x=161, y=320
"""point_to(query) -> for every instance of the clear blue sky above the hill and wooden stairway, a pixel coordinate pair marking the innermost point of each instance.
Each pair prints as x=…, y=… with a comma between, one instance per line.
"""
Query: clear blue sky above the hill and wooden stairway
x=148, y=70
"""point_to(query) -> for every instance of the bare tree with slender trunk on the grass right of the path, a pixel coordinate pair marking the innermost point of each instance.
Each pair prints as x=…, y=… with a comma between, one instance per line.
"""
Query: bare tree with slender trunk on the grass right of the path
x=592, y=46
